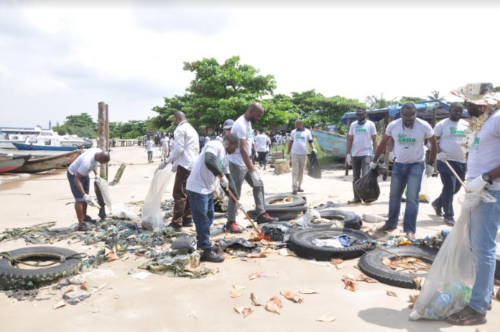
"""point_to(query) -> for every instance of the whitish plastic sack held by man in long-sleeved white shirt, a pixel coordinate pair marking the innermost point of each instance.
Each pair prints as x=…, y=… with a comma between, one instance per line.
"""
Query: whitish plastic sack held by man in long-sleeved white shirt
x=152, y=217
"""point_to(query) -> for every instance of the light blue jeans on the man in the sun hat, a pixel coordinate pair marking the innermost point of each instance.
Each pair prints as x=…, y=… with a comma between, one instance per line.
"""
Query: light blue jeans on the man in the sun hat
x=484, y=224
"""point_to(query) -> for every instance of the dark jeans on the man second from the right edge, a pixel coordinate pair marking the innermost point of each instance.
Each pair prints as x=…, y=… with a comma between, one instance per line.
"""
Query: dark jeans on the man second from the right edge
x=450, y=186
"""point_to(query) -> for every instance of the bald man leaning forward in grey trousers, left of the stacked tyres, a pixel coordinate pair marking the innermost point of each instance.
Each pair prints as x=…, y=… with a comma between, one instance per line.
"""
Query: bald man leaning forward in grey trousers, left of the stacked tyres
x=242, y=169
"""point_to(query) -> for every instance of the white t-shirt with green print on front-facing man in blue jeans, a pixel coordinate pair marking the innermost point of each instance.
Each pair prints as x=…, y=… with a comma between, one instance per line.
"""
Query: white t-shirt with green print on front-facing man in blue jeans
x=409, y=142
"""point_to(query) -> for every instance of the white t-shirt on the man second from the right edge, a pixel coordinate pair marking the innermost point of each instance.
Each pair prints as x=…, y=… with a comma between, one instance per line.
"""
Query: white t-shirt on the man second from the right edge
x=452, y=136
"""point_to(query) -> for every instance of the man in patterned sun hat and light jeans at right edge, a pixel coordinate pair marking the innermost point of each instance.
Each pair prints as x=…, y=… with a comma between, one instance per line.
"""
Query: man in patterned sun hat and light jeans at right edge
x=483, y=176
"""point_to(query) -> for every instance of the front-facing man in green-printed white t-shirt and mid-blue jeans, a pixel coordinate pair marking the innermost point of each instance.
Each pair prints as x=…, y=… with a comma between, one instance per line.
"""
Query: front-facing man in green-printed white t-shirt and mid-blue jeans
x=409, y=134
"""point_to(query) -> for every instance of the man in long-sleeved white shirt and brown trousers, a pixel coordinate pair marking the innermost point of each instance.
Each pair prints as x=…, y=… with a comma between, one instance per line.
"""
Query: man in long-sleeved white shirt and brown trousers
x=183, y=156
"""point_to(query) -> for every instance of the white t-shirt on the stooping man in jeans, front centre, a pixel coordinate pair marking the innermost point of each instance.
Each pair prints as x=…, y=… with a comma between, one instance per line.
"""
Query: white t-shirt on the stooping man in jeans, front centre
x=201, y=180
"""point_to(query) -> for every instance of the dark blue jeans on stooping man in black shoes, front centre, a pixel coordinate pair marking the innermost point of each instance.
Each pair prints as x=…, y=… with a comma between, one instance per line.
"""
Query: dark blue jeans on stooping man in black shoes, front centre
x=202, y=208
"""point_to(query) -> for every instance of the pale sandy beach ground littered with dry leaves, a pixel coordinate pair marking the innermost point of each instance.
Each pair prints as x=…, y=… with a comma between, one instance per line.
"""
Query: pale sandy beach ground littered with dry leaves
x=160, y=303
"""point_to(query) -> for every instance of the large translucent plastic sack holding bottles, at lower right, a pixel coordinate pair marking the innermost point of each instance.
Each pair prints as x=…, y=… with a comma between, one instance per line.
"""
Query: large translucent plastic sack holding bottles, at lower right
x=448, y=286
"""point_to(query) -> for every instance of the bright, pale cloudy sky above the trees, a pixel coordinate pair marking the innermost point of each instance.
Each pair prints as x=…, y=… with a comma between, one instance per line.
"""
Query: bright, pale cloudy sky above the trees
x=59, y=59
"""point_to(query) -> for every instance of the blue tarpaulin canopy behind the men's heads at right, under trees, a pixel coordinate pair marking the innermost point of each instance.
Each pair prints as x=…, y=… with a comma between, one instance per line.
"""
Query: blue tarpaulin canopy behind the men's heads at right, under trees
x=424, y=112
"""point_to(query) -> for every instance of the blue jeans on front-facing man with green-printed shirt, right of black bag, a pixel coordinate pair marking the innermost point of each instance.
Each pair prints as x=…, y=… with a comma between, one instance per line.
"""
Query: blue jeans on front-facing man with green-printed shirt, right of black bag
x=410, y=176
